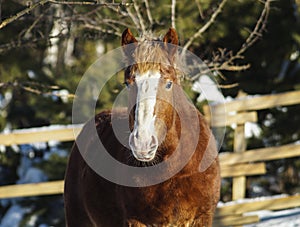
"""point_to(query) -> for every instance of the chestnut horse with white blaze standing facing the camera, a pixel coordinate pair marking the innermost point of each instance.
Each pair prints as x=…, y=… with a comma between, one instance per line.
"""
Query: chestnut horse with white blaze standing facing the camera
x=165, y=130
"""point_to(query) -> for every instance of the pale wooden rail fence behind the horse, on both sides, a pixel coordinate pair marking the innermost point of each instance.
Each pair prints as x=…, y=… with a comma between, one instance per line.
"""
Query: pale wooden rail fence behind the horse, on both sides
x=237, y=164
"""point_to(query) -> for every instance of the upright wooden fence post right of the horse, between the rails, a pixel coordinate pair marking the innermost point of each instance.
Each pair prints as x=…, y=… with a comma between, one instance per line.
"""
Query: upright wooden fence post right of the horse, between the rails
x=239, y=145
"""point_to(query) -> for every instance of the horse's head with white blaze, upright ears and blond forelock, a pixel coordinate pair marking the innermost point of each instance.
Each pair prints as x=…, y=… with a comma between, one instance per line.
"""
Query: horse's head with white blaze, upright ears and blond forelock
x=150, y=78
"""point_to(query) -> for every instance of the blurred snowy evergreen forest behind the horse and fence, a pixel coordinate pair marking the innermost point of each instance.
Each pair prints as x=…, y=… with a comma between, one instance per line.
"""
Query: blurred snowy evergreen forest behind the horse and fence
x=251, y=46
